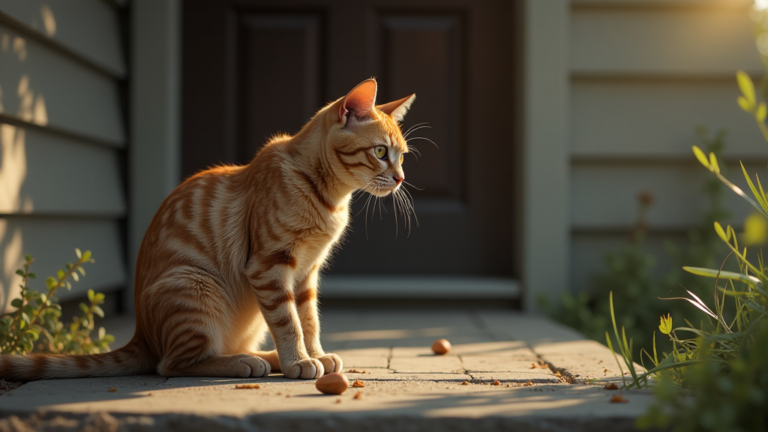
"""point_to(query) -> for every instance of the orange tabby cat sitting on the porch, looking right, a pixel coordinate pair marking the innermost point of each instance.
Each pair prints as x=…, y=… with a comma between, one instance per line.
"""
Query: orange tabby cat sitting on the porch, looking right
x=235, y=250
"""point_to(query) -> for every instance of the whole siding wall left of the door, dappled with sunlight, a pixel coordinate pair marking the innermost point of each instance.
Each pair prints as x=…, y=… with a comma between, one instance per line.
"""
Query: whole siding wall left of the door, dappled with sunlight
x=62, y=135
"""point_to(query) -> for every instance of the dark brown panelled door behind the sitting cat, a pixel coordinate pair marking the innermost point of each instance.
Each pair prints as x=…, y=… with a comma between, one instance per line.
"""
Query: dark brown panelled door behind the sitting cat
x=255, y=68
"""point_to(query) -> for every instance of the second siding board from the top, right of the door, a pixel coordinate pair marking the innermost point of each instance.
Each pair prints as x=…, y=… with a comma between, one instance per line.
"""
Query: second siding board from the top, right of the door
x=657, y=118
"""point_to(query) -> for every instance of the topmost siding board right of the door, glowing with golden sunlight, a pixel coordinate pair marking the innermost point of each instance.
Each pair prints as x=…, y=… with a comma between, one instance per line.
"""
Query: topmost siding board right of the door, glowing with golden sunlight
x=662, y=42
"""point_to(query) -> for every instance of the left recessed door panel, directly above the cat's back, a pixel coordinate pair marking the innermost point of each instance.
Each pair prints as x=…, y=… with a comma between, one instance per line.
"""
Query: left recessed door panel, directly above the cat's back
x=276, y=49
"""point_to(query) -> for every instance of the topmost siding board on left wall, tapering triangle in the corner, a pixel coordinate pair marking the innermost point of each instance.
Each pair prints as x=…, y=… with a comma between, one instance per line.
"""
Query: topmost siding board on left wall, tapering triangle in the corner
x=90, y=28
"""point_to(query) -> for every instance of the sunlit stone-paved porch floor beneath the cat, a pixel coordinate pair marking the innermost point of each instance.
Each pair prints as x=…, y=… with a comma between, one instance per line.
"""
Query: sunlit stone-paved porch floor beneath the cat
x=406, y=387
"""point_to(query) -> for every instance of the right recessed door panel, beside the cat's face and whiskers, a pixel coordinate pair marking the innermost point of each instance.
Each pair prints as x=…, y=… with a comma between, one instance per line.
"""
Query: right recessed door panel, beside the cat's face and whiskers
x=431, y=45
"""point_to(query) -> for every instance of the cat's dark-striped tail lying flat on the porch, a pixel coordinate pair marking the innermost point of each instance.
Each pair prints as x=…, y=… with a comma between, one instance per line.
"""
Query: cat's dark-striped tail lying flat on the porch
x=132, y=359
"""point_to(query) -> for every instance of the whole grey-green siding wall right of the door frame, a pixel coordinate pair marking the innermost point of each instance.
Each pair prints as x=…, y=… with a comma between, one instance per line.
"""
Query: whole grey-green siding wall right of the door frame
x=643, y=76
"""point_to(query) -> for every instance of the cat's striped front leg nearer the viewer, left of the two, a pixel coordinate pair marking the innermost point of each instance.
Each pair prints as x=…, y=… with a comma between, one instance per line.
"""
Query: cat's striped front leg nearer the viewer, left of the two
x=276, y=300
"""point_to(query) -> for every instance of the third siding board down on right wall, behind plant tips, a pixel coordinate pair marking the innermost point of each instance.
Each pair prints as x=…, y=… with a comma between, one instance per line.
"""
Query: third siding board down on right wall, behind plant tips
x=604, y=196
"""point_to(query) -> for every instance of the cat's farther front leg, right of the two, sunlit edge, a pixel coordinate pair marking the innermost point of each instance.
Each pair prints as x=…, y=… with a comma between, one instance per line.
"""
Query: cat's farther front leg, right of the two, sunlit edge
x=306, y=301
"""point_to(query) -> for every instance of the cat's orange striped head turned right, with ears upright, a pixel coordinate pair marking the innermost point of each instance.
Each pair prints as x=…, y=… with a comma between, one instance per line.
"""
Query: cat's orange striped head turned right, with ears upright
x=366, y=141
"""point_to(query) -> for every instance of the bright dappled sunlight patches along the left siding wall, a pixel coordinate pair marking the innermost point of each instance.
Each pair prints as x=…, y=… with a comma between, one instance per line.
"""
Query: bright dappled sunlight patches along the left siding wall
x=27, y=104
